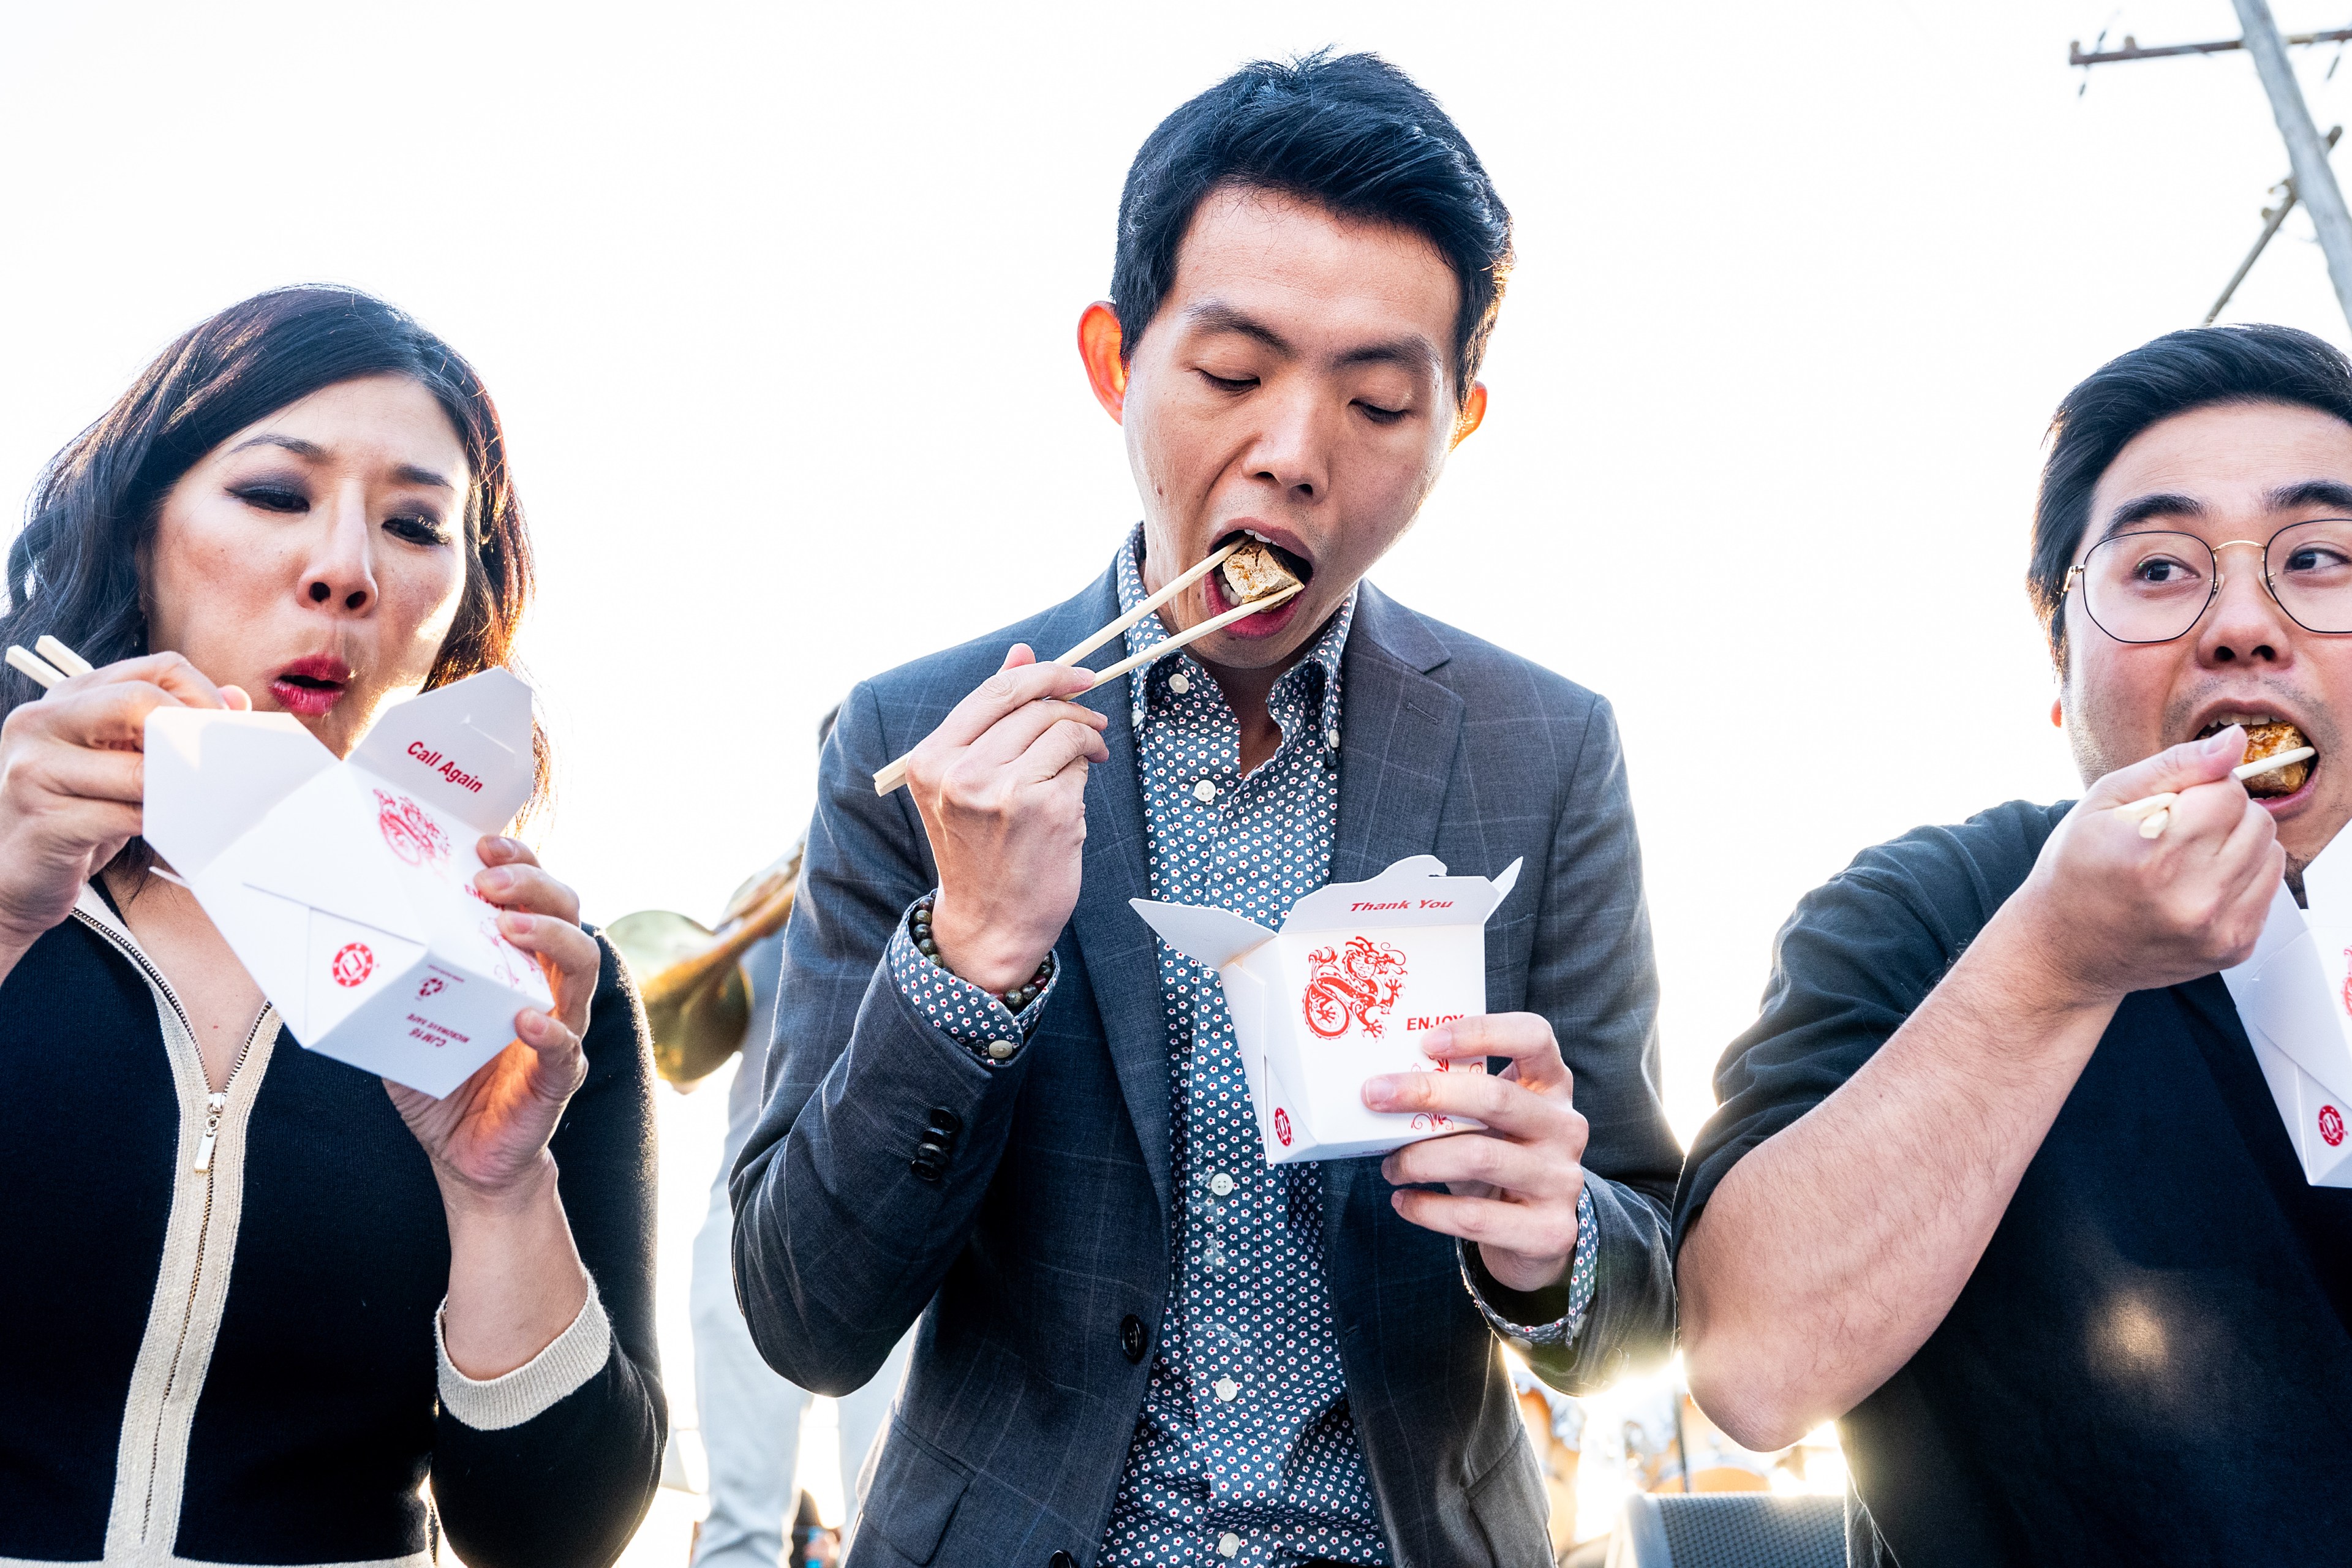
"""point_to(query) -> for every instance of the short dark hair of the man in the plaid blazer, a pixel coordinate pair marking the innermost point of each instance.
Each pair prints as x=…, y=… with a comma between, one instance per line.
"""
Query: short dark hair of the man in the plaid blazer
x=1347, y=133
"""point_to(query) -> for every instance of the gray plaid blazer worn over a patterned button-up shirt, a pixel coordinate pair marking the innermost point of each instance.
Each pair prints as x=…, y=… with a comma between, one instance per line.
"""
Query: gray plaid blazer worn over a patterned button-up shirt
x=1041, y=1257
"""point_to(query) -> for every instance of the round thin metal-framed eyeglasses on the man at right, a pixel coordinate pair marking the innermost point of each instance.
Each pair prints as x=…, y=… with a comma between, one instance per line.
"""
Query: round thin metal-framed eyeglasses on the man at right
x=2156, y=587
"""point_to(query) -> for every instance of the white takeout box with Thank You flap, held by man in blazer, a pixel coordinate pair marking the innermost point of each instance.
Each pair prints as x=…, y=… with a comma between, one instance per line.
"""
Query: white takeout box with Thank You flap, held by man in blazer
x=1347, y=991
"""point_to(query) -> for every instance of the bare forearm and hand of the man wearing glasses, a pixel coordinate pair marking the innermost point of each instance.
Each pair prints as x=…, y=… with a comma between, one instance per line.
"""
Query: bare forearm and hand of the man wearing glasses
x=1836, y=1247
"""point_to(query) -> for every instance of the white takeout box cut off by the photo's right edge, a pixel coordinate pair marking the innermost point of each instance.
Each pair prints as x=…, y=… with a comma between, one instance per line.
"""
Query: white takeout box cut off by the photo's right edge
x=2294, y=996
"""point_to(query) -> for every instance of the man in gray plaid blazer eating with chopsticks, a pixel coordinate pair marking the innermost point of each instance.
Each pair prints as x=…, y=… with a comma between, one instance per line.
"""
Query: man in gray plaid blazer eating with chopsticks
x=1003, y=1108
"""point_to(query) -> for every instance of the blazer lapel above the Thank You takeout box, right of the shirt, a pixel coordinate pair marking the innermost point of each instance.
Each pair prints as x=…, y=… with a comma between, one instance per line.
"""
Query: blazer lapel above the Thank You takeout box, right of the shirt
x=1398, y=739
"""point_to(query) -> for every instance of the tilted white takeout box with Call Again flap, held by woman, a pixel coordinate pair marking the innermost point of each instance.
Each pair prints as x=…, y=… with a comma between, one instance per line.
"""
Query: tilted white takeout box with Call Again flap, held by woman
x=347, y=887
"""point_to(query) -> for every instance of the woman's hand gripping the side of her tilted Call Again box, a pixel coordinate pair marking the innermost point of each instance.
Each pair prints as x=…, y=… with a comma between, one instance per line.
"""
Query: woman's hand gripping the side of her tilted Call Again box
x=490, y=1137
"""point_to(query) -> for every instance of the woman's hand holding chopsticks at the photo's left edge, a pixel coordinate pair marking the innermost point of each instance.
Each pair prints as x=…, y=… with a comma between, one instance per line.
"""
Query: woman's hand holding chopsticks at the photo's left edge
x=74, y=779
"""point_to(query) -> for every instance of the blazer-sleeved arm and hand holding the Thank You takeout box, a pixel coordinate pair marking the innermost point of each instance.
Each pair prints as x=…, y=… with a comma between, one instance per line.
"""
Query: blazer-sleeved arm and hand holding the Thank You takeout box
x=1589, y=1144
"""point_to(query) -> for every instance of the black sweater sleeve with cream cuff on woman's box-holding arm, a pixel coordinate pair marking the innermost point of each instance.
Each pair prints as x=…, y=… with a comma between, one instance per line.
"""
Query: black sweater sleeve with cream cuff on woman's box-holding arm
x=556, y=1461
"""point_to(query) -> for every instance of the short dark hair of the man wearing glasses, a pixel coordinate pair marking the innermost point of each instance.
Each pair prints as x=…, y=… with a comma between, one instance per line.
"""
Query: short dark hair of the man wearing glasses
x=2174, y=375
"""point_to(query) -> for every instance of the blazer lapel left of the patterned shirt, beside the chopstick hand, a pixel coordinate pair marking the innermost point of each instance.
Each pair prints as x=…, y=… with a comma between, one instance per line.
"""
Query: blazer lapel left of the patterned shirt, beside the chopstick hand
x=1118, y=949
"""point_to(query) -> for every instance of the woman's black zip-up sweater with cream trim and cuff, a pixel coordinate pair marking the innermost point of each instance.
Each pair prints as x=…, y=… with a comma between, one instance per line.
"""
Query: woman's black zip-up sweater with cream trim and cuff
x=225, y=1308
